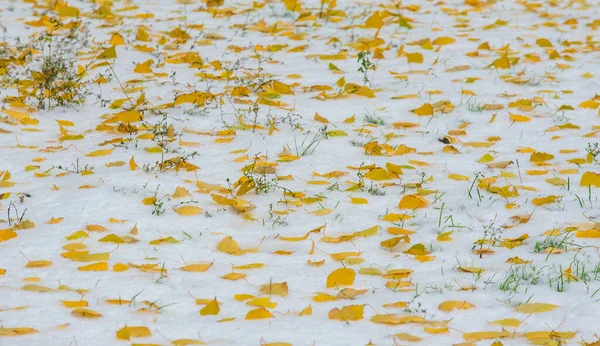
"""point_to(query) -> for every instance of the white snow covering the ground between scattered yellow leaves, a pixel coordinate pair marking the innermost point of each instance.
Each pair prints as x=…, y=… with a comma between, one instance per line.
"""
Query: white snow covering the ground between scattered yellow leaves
x=117, y=192
